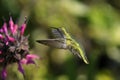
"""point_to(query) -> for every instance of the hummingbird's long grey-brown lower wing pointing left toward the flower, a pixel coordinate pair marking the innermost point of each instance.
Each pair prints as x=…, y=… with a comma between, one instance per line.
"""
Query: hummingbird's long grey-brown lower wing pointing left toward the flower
x=56, y=43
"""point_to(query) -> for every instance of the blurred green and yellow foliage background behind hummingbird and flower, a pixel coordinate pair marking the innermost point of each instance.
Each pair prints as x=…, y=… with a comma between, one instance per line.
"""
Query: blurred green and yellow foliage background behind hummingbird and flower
x=95, y=23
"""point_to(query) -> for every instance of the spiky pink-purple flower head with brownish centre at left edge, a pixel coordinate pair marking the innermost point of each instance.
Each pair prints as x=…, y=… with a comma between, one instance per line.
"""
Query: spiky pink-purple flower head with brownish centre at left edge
x=14, y=47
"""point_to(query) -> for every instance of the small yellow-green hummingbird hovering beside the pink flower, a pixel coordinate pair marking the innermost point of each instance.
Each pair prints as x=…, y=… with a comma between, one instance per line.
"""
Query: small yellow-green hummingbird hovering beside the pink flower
x=63, y=40
